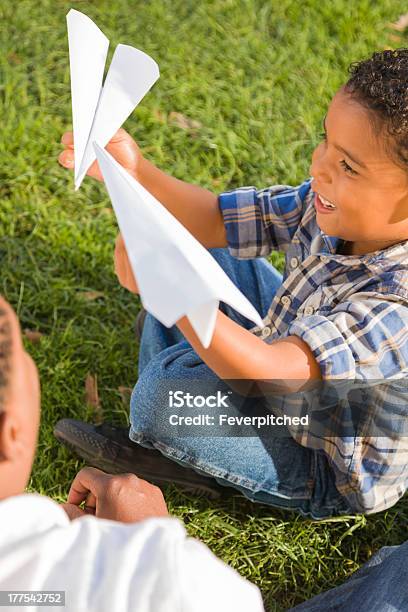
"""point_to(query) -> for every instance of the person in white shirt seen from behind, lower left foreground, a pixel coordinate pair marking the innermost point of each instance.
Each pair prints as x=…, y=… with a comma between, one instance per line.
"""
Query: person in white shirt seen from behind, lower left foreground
x=114, y=561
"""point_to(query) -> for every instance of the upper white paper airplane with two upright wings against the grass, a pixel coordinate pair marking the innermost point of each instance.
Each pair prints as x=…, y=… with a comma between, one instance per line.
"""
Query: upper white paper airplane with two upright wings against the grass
x=99, y=111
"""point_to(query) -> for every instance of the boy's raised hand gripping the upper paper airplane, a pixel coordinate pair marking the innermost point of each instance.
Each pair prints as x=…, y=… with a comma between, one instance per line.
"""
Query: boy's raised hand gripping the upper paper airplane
x=122, y=147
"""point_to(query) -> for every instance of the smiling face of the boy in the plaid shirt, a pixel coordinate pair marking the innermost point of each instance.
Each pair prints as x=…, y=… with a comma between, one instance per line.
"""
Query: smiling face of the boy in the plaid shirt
x=353, y=171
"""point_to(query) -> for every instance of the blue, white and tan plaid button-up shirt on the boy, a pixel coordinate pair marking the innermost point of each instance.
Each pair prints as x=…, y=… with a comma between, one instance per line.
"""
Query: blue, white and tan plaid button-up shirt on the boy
x=352, y=311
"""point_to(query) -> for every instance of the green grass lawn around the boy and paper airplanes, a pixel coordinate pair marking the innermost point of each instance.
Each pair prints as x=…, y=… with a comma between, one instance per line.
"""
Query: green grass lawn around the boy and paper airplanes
x=258, y=76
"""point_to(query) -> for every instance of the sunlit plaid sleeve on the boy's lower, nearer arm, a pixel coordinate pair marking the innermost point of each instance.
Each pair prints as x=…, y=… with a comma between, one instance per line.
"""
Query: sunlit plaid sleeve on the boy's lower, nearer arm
x=363, y=338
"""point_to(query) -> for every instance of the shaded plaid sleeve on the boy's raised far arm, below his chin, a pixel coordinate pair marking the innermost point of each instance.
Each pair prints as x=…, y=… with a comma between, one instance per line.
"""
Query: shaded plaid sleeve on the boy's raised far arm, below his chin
x=260, y=221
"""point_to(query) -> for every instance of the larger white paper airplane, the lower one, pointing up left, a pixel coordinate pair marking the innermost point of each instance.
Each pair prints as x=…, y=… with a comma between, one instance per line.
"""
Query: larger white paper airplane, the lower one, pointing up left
x=175, y=274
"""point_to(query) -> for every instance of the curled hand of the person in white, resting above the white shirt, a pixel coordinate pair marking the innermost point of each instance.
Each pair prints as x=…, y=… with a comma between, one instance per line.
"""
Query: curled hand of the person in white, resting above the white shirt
x=123, y=497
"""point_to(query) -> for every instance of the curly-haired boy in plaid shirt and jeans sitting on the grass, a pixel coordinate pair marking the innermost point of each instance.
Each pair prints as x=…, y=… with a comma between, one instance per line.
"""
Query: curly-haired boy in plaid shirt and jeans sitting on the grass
x=339, y=313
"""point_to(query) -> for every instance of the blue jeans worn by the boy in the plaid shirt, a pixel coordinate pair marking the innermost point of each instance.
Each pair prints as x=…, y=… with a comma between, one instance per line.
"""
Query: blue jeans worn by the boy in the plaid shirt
x=276, y=470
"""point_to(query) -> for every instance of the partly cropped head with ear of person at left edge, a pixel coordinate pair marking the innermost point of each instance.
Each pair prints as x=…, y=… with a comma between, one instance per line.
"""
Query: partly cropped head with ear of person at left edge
x=19, y=419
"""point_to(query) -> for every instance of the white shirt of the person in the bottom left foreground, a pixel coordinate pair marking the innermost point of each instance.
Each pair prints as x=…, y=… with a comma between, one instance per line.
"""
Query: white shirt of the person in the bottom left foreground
x=105, y=566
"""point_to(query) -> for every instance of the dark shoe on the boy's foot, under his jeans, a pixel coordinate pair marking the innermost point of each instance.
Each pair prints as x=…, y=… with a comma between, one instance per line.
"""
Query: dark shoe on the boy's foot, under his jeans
x=109, y=448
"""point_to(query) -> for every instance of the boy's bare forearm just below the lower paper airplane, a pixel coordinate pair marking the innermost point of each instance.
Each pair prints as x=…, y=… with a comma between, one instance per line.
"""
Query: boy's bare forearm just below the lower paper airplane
x=236, y=353
